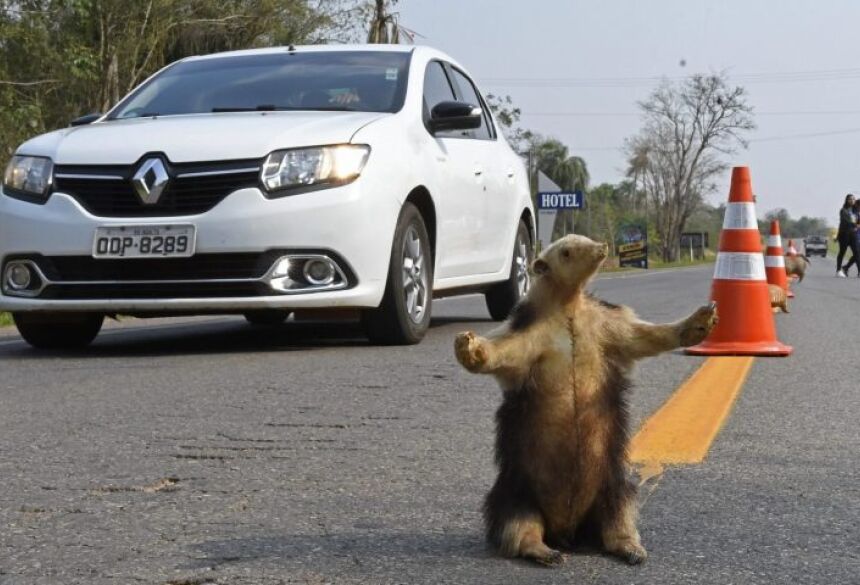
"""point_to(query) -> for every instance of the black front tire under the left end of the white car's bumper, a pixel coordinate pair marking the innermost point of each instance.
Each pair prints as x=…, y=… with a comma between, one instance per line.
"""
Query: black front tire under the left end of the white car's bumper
x=58, y=330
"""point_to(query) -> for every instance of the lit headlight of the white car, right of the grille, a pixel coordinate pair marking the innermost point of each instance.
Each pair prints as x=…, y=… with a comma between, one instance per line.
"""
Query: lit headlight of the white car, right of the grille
x=313, y=168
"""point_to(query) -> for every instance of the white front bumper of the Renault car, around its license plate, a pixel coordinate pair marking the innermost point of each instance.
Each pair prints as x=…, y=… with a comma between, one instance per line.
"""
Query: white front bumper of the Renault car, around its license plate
x=355, y=229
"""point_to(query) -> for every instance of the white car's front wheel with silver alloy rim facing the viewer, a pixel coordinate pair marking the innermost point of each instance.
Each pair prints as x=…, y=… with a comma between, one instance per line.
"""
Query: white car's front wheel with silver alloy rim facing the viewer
x=403, y=317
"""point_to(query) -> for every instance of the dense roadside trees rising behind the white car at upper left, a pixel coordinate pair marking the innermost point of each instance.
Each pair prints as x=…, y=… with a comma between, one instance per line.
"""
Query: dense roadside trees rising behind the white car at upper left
x=63, y=58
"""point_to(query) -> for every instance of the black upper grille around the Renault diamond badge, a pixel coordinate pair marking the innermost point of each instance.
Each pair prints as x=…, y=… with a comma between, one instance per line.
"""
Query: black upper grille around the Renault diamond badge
x=193, y=188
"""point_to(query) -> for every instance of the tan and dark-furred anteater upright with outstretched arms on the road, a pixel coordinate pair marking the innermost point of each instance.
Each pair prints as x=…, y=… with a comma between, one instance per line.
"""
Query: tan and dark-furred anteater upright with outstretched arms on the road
x=562, y=360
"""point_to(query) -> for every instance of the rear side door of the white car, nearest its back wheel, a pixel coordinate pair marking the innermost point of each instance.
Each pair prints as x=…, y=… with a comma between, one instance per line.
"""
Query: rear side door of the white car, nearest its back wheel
x=499, y=195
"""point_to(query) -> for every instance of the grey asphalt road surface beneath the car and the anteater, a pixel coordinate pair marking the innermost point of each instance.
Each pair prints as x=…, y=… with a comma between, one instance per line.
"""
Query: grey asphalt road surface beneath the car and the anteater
x=209, y=451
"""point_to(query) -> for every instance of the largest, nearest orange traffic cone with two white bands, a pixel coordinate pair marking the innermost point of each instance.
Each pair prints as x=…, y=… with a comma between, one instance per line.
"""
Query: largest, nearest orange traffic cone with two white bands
x=740, y=290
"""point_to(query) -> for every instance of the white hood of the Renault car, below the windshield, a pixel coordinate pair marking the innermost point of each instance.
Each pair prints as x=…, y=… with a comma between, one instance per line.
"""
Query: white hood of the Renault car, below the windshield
x=200, y=137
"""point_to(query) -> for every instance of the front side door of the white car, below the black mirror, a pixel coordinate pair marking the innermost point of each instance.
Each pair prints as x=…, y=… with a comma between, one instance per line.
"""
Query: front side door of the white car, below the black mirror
x=459, y=179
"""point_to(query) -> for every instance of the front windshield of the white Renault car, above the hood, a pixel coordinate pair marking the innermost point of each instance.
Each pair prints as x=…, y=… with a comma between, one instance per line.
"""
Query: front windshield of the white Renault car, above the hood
x=366, y=81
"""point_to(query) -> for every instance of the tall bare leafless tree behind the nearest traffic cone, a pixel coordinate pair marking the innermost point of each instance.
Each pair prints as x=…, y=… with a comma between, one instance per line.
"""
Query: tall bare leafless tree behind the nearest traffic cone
x=687, y=127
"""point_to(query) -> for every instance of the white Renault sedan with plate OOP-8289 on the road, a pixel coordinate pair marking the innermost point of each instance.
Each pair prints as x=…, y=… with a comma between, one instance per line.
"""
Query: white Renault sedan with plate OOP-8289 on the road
x=266, y=182
